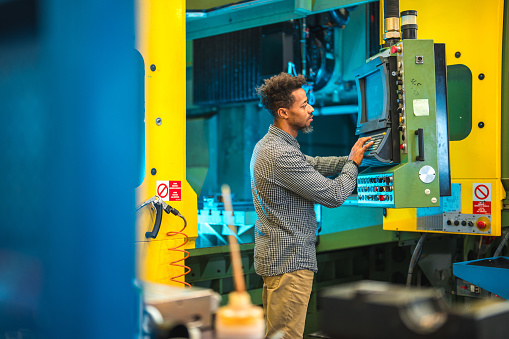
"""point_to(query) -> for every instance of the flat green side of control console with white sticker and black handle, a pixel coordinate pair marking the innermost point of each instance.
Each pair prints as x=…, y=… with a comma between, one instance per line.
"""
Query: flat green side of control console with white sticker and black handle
x=419, y=82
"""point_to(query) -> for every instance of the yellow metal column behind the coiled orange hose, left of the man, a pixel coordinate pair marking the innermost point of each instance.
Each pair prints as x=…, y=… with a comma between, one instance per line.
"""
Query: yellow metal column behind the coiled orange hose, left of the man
x=160, y=38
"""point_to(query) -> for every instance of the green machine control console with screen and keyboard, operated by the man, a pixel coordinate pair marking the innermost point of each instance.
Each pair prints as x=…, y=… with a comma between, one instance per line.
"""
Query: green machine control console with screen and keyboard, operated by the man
x=403, y=108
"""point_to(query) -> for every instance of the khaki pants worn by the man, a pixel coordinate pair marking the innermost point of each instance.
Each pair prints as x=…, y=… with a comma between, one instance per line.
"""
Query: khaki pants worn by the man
x=285, y=302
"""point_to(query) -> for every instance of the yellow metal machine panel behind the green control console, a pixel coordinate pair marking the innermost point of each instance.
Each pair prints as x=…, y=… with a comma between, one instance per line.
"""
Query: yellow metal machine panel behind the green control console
x=475, y=30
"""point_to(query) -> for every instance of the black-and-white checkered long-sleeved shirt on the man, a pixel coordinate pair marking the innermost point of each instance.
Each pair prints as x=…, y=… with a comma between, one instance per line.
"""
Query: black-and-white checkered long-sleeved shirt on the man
x=286, y=184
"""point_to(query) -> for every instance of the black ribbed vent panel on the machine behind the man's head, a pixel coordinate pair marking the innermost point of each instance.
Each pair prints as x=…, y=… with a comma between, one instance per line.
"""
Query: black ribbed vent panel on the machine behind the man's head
x=228, y=67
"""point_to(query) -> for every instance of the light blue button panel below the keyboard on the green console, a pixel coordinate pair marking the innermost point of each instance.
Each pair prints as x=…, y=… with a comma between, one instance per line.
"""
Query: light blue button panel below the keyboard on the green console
x=375, y=190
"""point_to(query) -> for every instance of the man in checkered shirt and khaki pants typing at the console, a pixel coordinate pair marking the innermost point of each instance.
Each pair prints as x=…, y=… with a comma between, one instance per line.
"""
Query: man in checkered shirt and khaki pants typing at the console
x=285, y=185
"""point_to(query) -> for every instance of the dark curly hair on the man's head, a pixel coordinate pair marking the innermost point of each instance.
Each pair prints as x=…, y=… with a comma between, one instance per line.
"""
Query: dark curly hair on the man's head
x=277, y=91
